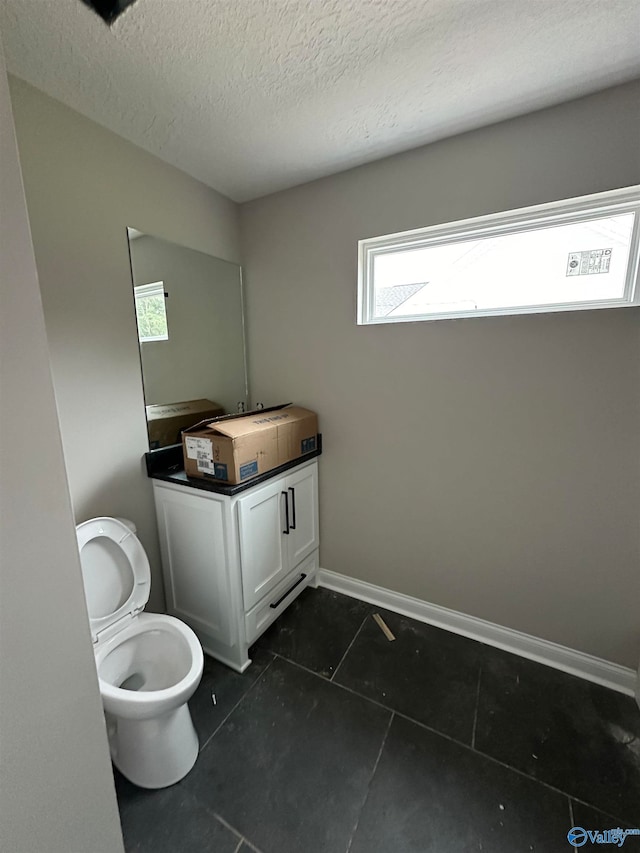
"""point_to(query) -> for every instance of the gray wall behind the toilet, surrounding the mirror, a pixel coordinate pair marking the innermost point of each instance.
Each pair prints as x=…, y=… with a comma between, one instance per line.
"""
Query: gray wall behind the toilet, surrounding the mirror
x=84, y=186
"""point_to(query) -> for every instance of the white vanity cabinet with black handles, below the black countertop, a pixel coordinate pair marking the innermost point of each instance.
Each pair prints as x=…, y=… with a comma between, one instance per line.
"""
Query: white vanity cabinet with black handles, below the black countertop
x=233, y=563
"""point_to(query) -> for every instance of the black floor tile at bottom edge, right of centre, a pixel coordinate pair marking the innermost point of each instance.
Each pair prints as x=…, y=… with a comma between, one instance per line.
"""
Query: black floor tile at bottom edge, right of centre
x=431, y=795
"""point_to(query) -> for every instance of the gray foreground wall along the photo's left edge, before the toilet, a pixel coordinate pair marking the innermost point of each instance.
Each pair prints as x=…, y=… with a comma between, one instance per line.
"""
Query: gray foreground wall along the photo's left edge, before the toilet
x=57, y=789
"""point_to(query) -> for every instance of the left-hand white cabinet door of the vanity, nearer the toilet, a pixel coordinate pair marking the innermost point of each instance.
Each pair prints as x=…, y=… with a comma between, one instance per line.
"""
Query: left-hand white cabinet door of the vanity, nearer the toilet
x=263, y=548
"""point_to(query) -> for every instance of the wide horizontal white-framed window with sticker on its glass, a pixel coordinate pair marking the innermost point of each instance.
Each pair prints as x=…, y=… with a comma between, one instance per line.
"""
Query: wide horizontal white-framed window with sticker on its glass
x=564, y=256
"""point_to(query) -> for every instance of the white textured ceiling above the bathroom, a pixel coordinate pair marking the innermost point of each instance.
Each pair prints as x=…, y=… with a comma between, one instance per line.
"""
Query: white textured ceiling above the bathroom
x=252, y=96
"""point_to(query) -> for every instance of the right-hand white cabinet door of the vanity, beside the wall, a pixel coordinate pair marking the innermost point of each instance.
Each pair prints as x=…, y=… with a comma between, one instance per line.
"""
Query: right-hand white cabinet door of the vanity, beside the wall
x=302, y=495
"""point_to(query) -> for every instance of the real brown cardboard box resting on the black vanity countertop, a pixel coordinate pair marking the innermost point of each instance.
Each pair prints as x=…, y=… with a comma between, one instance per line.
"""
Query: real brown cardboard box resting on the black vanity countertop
x=234, y=450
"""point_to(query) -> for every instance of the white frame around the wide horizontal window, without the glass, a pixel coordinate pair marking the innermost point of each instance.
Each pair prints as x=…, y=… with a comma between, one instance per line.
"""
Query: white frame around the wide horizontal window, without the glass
x=564, y=212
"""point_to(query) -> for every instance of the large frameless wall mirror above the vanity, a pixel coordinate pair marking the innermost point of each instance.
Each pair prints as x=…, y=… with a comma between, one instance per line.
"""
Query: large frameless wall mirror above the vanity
x=189, y=311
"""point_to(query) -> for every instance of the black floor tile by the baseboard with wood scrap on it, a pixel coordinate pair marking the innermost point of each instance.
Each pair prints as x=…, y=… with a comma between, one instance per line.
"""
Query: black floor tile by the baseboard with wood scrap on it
x=426, y=673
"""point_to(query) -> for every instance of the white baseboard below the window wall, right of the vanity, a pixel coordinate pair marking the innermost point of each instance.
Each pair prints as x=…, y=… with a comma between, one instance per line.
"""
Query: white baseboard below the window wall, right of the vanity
x=568, y=660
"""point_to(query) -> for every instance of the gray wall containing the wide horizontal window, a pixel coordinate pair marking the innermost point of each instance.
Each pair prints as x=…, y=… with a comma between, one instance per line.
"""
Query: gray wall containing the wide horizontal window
x=487, y=465
